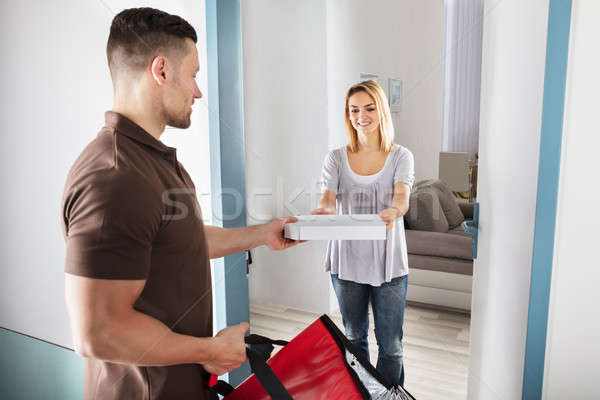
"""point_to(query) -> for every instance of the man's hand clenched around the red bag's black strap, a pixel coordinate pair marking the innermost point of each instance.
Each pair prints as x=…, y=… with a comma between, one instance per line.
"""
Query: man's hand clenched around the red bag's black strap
x=230, y=350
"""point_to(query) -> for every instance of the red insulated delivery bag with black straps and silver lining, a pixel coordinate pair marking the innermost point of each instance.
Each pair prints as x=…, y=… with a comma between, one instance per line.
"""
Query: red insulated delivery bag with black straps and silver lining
x=319, y=363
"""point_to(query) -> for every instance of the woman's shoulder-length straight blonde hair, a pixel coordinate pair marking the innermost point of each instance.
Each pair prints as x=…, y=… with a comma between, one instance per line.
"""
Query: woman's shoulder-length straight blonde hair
x=386, y=127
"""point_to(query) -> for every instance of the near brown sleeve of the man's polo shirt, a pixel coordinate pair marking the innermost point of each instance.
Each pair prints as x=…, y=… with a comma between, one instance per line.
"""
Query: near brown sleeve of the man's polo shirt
x=111, y=219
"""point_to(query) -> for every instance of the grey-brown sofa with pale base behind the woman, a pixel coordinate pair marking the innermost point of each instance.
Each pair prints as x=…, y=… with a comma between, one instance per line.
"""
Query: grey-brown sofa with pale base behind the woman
x=439, y=251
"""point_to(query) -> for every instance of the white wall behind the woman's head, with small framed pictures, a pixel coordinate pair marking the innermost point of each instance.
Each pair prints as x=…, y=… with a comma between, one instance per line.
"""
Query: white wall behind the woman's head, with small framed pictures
x=393, y=39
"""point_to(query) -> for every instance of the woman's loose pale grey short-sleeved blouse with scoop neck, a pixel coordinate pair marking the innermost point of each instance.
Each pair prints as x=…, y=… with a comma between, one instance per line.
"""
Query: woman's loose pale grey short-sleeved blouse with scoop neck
x=367, y=261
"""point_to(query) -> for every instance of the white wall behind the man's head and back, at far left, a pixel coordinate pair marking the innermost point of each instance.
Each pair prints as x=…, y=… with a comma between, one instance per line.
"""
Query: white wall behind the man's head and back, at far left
x=55, y=89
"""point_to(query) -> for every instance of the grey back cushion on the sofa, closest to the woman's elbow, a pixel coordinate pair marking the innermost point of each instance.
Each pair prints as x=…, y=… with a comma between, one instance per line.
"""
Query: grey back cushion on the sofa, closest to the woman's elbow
x=425, y=212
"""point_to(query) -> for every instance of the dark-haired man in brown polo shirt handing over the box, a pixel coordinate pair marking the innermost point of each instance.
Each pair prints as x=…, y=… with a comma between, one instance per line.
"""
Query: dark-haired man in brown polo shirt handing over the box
x=137, y=283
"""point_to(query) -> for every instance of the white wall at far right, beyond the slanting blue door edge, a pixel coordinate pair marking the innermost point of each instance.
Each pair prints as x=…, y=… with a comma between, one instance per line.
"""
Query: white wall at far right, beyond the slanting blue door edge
x=573, y=350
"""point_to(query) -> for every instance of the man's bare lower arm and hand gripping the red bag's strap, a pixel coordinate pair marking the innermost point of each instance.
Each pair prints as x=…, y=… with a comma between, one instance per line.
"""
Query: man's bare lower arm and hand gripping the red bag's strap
x=106, y=326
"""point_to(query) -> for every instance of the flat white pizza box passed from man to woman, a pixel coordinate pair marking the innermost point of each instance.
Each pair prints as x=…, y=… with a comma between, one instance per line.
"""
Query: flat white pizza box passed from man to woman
x=337, y=227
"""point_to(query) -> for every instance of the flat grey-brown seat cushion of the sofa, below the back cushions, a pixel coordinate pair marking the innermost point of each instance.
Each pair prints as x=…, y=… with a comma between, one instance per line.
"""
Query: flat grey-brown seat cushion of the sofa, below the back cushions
x=439, y=244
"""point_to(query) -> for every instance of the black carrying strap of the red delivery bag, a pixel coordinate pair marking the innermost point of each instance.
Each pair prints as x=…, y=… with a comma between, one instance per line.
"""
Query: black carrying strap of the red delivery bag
x=259, y=351
